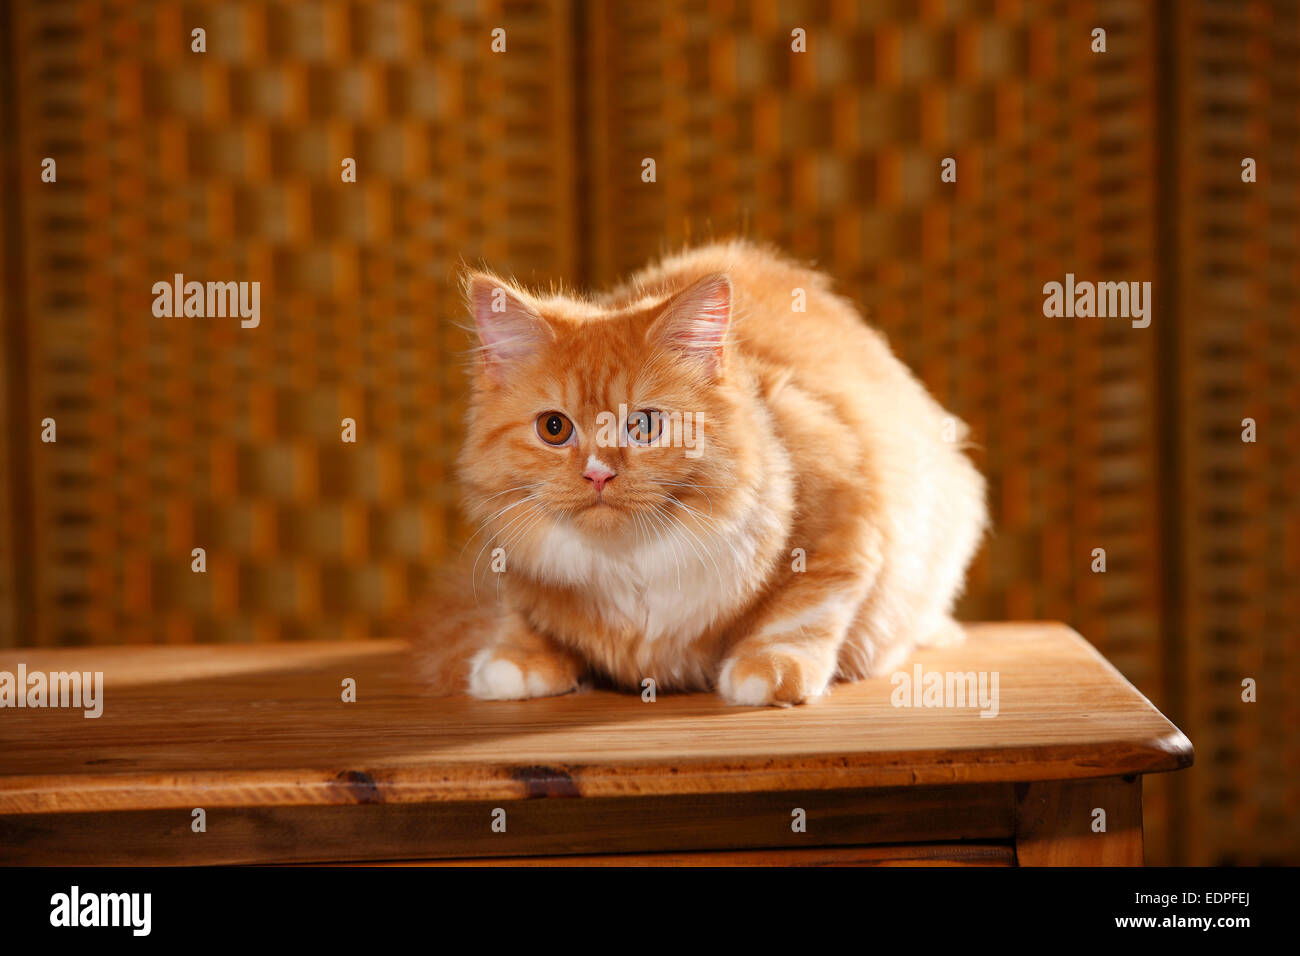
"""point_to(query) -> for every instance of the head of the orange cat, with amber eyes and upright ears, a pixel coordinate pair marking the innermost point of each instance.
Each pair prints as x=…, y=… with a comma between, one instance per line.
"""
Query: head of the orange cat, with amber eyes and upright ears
x=613, y=422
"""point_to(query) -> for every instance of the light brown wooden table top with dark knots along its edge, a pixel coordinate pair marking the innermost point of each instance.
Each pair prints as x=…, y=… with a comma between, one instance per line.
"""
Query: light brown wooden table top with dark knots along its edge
x=266, y=725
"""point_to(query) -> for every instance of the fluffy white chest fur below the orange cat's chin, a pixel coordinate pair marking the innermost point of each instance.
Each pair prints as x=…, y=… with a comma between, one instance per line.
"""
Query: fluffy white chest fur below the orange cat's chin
x=666, y=587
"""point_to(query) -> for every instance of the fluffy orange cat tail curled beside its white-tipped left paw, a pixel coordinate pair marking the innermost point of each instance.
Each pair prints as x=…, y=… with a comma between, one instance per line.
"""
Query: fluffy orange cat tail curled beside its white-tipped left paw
x=452, y=626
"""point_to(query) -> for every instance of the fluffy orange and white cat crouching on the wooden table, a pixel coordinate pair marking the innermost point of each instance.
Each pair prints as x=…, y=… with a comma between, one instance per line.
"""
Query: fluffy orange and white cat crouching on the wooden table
x=690, y=481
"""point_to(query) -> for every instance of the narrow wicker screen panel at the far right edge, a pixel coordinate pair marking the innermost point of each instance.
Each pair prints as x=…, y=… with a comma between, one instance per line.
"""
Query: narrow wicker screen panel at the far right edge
x=1240, y=358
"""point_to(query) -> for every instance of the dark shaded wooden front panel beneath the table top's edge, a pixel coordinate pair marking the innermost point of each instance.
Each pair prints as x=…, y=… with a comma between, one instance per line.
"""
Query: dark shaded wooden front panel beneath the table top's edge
x=372, y=832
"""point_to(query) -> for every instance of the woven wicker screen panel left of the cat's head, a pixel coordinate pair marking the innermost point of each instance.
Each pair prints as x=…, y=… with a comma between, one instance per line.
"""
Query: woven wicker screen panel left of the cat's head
x=175, y=435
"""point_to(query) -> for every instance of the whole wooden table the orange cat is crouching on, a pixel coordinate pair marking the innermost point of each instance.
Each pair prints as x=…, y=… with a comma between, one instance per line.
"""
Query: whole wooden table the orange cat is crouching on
x=261, y=739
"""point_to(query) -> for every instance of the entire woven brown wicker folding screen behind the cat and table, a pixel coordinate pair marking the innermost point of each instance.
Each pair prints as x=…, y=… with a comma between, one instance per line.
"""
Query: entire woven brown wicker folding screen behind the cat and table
x=226, y=166
